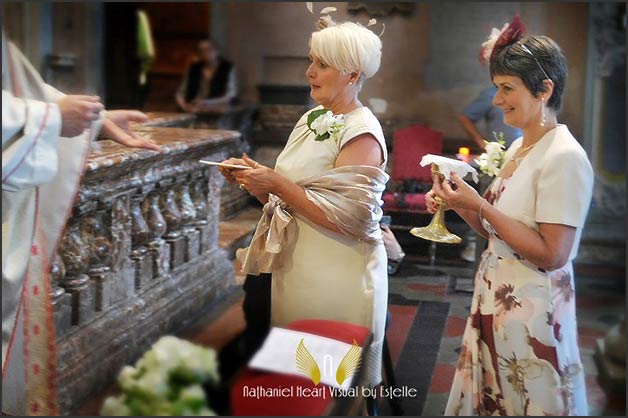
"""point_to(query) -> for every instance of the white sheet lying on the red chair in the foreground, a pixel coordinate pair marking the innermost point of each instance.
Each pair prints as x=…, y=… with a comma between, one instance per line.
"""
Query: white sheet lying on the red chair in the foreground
x=278, y=354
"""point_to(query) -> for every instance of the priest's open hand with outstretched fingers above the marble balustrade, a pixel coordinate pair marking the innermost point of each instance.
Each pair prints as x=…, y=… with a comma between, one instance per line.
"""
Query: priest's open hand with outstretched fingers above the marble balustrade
x=117, y=127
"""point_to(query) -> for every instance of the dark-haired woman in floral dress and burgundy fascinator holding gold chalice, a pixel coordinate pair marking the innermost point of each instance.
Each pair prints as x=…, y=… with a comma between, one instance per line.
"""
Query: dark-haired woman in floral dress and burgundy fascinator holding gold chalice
x=519, y=351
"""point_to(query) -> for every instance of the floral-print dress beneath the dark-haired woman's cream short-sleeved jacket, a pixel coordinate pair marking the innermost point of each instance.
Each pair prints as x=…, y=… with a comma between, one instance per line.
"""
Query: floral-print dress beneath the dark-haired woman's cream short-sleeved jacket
x=519, y=353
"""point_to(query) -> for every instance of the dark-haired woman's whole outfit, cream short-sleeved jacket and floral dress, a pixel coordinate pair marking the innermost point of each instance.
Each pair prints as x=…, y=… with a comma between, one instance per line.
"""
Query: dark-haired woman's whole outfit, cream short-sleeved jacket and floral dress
x=519, y=353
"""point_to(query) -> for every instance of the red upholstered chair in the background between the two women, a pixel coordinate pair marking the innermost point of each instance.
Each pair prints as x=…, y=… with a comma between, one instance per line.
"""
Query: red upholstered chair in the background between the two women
x=409, y=181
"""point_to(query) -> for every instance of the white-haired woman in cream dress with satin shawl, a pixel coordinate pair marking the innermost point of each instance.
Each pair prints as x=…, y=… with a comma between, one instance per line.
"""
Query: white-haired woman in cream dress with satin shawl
x=319, y=235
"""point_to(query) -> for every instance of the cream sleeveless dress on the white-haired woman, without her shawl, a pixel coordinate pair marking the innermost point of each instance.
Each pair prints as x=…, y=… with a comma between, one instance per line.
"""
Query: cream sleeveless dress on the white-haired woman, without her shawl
x=329, y=275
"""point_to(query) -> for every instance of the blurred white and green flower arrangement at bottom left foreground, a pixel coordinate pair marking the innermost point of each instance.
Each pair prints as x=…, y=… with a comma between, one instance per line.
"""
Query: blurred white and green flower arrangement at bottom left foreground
x=166, y=381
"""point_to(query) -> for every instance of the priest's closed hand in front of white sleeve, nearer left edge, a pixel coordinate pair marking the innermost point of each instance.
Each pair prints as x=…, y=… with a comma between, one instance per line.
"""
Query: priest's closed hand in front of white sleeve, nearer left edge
x=77, y=113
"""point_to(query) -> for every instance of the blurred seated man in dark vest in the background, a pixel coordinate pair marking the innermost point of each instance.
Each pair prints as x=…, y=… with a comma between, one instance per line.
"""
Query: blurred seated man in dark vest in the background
x=210, y=81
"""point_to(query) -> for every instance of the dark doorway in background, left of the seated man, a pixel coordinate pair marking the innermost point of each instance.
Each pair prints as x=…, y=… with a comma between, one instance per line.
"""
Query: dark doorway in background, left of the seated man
x=176, y=29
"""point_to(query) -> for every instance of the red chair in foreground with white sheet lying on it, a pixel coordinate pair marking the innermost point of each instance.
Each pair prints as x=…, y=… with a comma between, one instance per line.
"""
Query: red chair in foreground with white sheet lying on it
x=342, y=331
